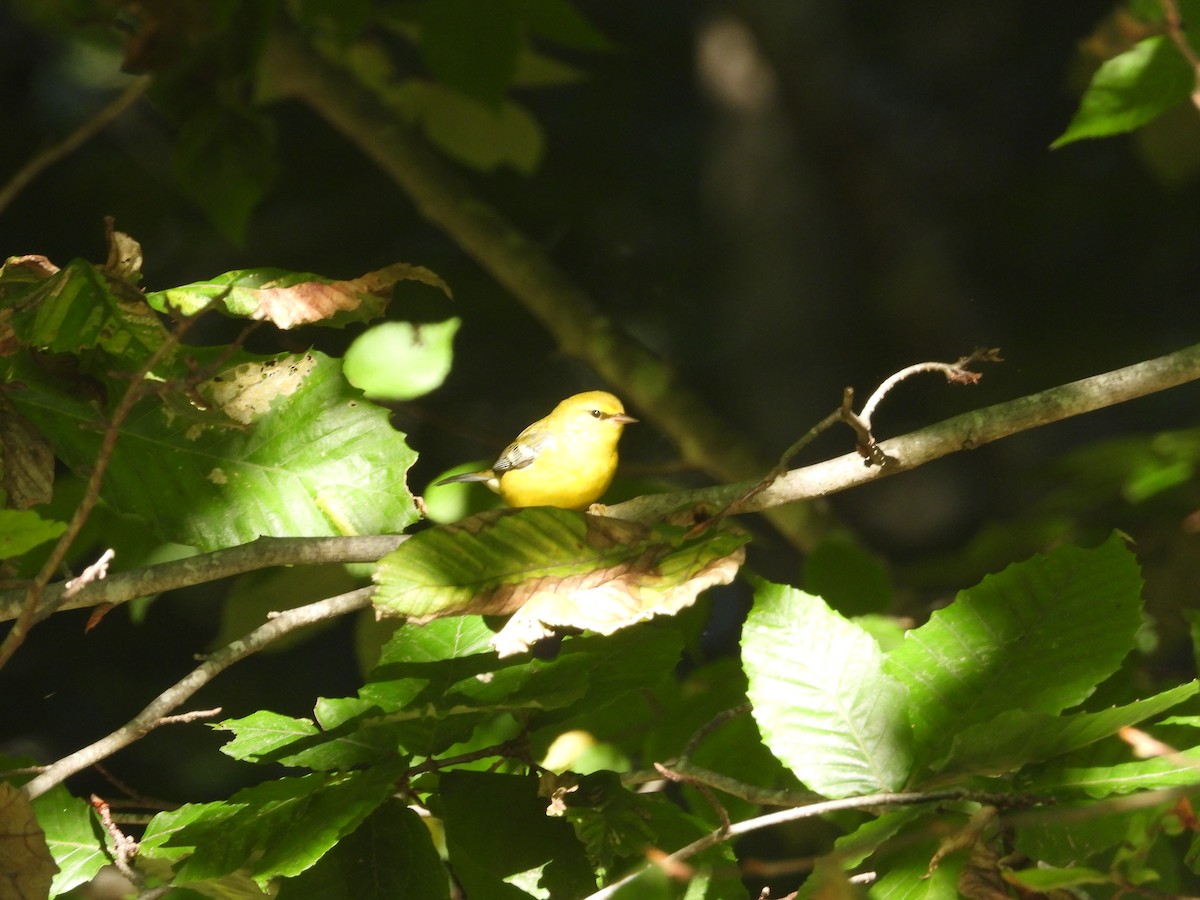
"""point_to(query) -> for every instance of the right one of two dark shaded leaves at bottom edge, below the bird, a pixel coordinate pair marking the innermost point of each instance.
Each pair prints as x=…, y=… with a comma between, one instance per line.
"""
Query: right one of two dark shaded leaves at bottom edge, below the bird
x=497, y=827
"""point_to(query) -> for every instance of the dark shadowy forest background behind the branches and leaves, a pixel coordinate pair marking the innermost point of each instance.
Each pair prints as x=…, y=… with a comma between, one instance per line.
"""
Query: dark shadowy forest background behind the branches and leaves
x=782, y=197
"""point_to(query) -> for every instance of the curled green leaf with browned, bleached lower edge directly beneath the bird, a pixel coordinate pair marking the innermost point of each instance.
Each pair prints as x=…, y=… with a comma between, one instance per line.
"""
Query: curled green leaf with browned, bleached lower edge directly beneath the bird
x=551, y=567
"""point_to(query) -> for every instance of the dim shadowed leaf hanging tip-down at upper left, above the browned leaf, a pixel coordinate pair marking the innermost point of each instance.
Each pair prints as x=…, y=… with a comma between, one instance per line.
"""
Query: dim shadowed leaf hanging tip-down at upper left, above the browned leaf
x=225, y=161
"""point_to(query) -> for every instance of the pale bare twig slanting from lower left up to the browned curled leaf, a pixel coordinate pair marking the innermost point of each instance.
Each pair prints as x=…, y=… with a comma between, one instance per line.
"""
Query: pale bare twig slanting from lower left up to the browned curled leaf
x=160, y=710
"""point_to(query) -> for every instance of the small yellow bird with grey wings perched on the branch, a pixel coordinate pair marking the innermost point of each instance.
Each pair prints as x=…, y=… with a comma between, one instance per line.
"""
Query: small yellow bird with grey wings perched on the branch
x=566, y=460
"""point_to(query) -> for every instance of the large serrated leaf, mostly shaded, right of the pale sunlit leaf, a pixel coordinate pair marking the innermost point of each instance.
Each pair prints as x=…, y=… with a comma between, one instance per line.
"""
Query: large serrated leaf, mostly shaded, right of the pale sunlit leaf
x=1039, y=637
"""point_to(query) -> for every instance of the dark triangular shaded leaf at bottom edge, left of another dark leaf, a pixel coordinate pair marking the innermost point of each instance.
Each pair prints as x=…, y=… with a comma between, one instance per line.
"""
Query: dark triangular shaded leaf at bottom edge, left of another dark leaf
x=389, y=856
